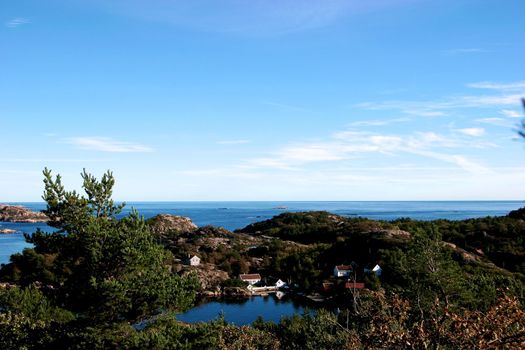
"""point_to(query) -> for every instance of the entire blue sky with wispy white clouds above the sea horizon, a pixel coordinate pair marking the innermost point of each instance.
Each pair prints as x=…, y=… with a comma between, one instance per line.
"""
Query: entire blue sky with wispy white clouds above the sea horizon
x=264, y=100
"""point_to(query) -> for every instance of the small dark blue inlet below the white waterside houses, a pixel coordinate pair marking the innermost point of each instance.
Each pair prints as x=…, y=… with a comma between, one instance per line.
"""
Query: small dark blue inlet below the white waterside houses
x=244, y=311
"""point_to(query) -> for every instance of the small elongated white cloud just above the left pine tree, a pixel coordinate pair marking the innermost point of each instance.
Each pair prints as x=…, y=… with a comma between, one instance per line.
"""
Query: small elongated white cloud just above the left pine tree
x=106, y=144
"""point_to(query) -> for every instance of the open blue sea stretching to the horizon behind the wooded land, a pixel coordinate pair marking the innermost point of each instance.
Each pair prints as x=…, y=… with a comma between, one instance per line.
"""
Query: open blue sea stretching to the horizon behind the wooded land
x=236, y=215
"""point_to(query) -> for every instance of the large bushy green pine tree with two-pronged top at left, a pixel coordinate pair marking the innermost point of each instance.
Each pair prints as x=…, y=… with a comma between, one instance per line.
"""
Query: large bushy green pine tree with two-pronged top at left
x=97, y=266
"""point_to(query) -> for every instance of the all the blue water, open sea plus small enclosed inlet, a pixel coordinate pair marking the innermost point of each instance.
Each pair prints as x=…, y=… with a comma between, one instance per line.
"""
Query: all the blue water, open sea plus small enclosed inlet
x=236, y=215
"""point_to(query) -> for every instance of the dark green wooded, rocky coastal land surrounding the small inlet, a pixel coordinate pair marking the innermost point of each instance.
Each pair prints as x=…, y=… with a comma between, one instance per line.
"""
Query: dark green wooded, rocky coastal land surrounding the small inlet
x=102, y=282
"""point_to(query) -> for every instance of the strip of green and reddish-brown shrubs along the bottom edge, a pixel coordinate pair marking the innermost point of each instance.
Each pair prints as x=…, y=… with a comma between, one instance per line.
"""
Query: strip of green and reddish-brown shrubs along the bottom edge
x=388, y=322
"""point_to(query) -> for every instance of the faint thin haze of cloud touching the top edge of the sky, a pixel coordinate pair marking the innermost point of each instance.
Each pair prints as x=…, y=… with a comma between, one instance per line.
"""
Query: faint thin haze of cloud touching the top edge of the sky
x=254, y=17
